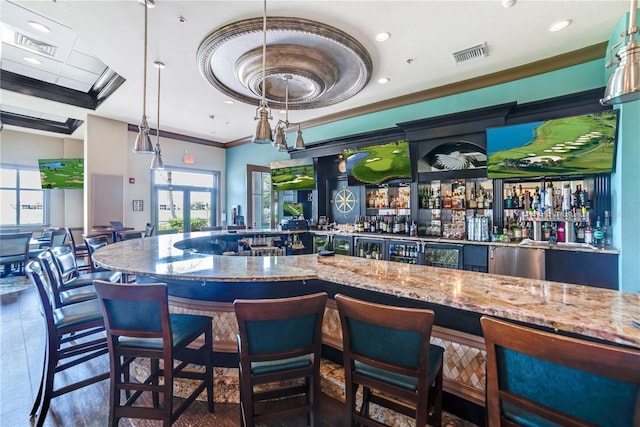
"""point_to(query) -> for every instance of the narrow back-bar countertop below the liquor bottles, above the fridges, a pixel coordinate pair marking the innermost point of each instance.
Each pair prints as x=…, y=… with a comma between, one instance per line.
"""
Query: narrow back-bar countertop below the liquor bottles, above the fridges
x=534, y=244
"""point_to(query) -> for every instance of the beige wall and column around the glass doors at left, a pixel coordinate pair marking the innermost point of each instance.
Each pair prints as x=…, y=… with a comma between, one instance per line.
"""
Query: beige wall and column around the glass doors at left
x=107, y=145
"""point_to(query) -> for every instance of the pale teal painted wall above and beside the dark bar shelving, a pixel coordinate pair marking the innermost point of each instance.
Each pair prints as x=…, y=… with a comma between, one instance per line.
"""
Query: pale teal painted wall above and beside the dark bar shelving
x=569, y=80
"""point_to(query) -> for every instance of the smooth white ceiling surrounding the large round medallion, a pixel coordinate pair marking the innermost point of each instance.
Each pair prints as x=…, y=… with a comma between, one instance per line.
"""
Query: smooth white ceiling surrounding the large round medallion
x=417, y=57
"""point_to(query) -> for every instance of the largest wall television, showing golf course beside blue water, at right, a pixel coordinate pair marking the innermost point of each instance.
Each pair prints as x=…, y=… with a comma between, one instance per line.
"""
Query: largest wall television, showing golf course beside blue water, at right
x=576, y=145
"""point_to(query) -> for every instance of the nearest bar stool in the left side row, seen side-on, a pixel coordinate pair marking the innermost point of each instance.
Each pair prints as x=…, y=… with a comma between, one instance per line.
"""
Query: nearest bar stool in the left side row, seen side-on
x=75, y=335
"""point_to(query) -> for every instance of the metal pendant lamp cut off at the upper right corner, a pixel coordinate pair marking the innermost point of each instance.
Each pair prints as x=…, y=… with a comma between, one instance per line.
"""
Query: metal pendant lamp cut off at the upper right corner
x=624, y=83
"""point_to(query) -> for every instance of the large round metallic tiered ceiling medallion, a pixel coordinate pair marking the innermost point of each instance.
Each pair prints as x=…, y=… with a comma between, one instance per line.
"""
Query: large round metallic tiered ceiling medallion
x=326, y=65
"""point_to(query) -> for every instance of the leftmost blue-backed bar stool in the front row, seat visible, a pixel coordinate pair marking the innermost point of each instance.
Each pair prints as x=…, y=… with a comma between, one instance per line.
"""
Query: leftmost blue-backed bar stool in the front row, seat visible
x=139, y=326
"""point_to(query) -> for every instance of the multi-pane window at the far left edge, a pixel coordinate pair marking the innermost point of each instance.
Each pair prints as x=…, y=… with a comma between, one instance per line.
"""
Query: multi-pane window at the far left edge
x=23, y=201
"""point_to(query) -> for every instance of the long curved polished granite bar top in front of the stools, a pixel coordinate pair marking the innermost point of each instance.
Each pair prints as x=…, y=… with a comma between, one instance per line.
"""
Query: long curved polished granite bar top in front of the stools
x=584, y=310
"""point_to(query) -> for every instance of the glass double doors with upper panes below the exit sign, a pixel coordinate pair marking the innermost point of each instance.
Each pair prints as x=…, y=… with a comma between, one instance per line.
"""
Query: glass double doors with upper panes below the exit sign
x=185, y=200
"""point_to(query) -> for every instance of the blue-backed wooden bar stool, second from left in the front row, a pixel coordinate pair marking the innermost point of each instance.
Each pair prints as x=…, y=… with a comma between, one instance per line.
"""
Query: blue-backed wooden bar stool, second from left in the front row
x=279, y=341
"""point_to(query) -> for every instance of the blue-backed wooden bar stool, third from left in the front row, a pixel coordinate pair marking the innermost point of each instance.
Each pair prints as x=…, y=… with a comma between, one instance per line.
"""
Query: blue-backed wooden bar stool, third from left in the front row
x=386, y=349
